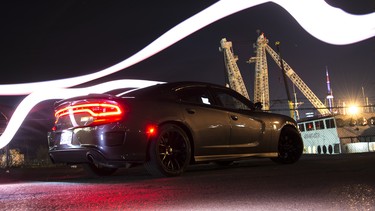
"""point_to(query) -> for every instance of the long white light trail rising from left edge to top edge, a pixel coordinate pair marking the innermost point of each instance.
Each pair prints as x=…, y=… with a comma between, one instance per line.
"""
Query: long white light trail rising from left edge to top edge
x=211, y=14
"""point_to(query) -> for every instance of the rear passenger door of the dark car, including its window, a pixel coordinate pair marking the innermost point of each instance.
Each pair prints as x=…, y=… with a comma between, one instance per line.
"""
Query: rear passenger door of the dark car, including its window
x=210, y=126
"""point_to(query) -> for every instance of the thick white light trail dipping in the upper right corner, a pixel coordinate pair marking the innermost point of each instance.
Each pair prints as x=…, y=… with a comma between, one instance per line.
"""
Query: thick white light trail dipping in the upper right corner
x=329, y=24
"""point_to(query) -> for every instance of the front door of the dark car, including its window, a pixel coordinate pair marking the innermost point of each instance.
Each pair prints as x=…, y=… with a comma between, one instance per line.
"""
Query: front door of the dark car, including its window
x=246, y=130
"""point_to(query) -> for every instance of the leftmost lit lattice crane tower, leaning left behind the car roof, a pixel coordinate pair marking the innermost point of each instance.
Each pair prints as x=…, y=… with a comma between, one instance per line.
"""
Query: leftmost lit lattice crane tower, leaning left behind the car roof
x=234, y=75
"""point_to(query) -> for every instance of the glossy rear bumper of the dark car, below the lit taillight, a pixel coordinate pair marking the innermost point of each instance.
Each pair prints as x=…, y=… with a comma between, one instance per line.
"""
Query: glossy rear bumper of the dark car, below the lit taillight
x=105, y=145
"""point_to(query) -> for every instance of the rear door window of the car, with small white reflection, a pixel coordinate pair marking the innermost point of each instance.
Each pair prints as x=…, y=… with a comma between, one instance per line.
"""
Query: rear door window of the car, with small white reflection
x=196, y=95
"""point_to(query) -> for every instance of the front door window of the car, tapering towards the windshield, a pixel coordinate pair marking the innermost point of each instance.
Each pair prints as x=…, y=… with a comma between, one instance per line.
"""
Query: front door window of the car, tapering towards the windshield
x=230, y=101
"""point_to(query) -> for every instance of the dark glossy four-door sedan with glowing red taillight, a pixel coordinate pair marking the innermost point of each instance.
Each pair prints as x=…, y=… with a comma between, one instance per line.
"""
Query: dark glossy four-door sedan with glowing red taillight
x=167, y=127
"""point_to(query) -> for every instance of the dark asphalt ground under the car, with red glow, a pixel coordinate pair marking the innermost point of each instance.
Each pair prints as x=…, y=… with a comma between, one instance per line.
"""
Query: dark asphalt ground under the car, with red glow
x=316, y=182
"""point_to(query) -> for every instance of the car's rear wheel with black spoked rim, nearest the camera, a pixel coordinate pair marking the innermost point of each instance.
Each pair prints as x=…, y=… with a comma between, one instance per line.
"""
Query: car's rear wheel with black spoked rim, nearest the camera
x=169, y=152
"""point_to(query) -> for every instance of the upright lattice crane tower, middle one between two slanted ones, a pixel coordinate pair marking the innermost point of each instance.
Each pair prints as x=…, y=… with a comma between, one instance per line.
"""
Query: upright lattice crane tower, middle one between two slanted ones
x=261, y=85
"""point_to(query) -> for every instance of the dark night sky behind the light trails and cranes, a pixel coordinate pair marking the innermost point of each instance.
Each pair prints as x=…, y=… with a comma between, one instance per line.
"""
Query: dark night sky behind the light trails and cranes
x=45, y=40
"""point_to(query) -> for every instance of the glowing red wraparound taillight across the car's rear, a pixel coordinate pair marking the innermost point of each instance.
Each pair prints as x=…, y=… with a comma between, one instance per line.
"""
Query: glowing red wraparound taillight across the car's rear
x=90, y=112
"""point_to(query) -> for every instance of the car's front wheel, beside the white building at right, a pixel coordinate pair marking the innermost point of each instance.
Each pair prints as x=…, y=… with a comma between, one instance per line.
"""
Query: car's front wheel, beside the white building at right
x=290, y=146
